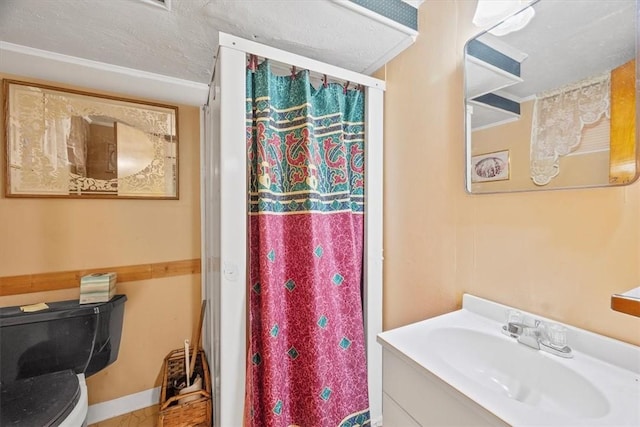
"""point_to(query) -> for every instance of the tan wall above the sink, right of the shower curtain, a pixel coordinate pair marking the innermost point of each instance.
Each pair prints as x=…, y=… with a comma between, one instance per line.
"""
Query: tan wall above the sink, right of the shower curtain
x=558, y=253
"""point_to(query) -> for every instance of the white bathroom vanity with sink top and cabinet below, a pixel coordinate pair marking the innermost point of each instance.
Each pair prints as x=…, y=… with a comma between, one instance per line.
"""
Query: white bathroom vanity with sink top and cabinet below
x=461, y=369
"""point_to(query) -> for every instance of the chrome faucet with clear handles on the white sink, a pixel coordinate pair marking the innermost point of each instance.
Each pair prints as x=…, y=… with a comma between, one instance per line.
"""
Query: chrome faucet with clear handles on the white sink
x=538, y=335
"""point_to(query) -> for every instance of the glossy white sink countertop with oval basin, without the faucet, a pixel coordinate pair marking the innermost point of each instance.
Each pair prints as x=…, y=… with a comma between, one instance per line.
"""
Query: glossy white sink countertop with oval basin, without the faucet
x=519, y=385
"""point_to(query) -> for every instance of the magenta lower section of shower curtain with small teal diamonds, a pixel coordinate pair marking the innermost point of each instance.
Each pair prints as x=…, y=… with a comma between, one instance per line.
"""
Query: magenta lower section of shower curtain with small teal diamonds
x=307, y=321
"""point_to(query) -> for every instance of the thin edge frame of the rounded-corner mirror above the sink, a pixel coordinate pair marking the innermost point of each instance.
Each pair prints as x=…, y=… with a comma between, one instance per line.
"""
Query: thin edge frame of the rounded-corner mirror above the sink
x=467, y=118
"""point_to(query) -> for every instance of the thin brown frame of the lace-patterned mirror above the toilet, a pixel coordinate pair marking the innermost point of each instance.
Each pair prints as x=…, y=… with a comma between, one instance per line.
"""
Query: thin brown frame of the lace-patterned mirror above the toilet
x=109, y=102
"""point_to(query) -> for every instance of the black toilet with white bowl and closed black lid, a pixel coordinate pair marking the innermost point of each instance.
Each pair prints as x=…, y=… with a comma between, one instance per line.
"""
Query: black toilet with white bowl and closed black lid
x=45, y=357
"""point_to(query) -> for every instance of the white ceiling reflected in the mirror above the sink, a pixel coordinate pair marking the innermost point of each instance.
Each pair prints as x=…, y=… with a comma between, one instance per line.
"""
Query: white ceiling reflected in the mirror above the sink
x=567, y=41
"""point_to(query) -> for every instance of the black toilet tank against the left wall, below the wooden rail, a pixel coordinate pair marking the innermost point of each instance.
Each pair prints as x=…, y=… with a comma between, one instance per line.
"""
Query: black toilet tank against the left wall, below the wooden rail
x=84, y=338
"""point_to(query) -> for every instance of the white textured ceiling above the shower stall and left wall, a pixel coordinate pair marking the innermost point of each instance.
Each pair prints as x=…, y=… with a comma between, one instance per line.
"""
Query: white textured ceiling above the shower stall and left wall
x=182, y=43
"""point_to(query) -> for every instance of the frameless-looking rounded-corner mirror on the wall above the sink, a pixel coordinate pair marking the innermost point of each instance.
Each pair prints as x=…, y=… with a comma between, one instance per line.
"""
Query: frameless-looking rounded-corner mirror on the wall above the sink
x=553, y=104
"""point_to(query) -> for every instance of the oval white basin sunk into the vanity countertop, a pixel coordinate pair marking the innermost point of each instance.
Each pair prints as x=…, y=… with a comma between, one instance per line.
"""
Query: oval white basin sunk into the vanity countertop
x=518, y=372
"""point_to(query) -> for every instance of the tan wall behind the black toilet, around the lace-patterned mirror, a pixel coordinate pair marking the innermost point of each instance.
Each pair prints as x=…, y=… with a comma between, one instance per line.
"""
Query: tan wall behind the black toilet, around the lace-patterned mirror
x=48, y=235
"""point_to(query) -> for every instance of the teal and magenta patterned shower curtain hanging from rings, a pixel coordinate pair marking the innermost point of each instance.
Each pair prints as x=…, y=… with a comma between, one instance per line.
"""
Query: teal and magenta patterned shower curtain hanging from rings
x=306, y=359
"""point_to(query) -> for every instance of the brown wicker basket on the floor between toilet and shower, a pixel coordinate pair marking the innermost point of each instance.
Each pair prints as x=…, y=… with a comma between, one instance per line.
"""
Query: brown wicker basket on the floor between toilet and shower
x=197, y=412
